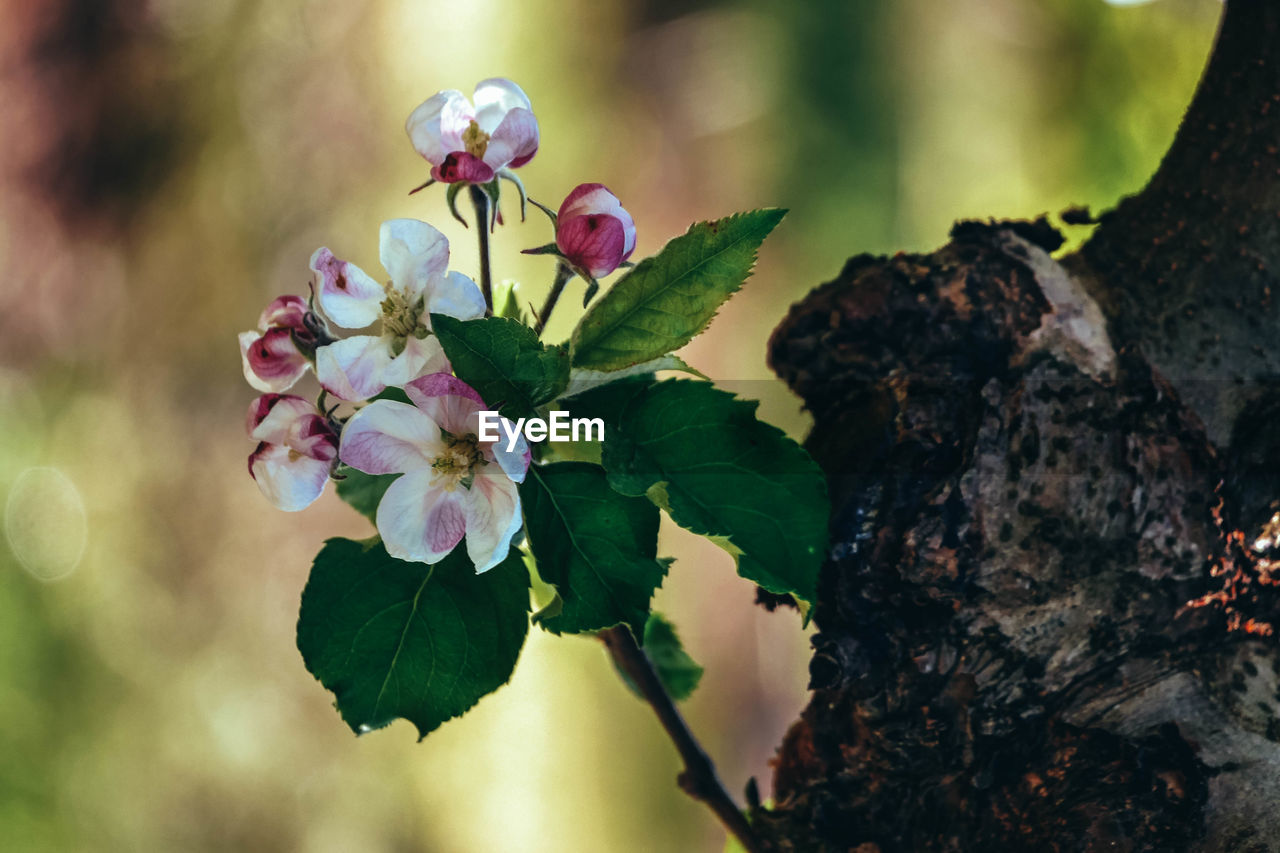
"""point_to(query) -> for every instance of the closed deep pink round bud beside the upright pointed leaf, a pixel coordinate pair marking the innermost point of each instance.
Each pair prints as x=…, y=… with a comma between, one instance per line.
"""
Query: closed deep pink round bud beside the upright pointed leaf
x=593, y=231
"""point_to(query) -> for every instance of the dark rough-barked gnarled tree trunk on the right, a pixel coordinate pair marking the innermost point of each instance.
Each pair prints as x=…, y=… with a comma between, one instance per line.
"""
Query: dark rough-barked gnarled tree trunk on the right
x=1048, y=617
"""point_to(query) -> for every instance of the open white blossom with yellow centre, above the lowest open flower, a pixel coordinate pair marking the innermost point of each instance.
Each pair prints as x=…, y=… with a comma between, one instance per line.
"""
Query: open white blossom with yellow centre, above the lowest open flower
x=417, y=257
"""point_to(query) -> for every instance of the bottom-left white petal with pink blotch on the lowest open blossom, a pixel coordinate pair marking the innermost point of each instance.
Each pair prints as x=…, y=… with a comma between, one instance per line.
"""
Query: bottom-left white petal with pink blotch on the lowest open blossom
x=419, y=522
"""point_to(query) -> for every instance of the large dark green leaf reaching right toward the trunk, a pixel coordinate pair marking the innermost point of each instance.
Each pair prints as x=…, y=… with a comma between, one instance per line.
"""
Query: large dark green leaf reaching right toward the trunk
x=703, y=457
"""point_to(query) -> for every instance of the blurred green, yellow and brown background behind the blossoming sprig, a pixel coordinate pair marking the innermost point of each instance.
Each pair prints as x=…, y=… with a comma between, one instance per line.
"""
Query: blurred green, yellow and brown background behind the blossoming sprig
x=167, y=168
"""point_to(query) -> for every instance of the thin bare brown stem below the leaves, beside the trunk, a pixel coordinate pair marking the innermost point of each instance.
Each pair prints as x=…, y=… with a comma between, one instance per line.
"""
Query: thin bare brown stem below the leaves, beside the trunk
x=698, y=779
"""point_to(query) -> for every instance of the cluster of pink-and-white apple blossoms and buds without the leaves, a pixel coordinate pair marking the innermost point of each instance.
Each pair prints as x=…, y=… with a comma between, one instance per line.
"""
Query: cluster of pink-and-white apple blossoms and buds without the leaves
x=454, y=486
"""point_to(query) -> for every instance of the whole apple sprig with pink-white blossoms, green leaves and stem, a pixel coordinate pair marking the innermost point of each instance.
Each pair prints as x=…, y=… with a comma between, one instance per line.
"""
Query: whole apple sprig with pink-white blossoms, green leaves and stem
x=432, y=417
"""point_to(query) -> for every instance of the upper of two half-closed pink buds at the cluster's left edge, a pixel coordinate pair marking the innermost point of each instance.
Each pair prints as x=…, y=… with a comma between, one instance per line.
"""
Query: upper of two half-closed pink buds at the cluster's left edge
x=281, y=352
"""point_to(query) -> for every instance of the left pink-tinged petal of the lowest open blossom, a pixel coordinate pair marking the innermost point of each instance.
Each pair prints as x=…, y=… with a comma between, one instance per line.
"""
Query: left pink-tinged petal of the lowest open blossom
x=388, y=437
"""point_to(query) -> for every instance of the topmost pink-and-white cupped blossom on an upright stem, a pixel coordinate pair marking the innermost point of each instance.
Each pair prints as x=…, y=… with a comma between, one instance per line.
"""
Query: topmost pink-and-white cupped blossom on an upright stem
x=474, y=143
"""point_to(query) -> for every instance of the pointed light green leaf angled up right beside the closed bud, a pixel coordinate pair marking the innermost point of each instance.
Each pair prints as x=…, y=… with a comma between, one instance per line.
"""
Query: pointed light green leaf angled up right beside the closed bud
x=669, y=299
